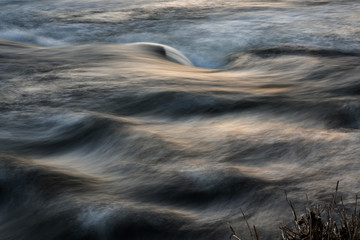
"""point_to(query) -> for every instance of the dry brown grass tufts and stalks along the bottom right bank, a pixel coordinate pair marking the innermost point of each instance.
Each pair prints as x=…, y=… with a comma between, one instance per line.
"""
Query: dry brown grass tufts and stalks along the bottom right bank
x=327, y=221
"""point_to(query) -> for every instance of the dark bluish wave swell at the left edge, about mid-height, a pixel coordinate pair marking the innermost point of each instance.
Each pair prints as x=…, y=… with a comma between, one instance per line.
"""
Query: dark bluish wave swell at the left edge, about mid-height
x=59, y=131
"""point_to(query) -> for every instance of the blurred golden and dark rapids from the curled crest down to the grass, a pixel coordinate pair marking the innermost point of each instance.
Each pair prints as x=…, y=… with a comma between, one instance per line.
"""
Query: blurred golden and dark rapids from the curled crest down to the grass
x=130, y=141
